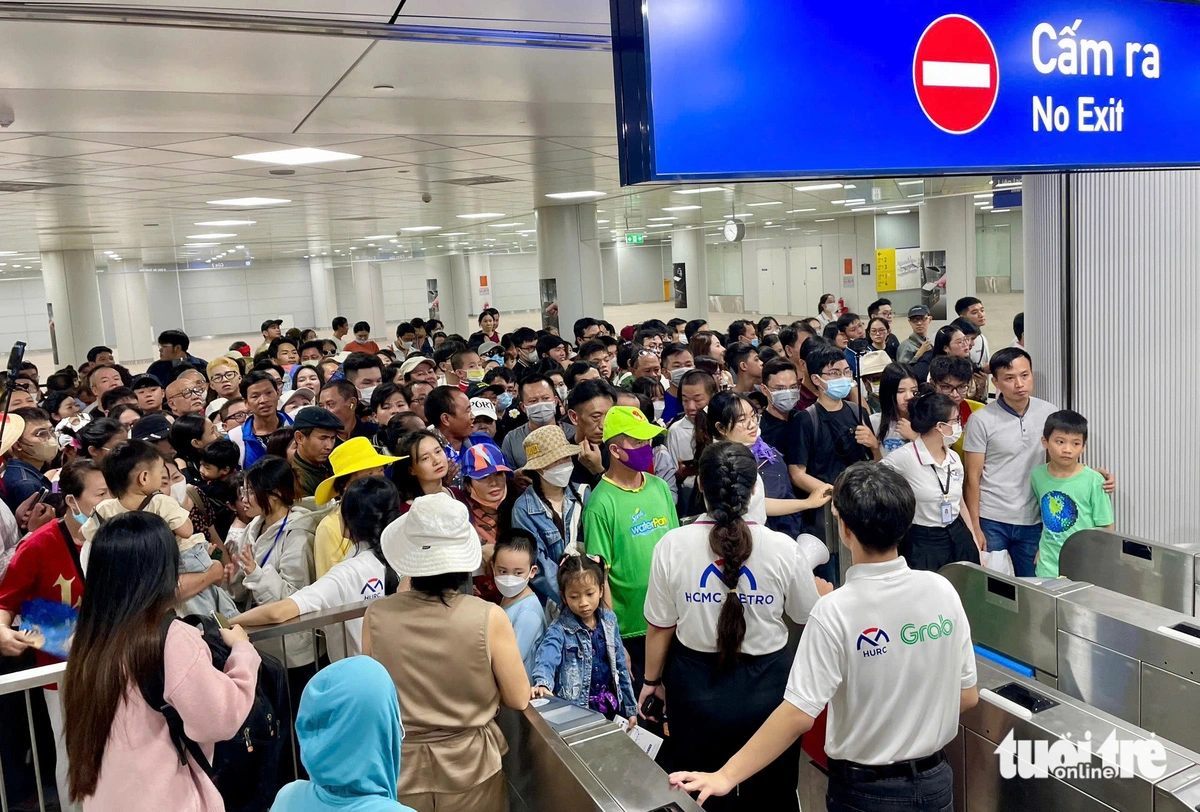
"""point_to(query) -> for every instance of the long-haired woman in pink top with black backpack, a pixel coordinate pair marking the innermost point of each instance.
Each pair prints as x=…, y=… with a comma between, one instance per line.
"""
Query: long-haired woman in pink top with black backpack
x=122, y=756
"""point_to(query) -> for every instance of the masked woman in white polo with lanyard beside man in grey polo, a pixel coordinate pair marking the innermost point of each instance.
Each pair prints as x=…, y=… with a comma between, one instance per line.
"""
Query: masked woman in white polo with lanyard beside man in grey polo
x=941, y=528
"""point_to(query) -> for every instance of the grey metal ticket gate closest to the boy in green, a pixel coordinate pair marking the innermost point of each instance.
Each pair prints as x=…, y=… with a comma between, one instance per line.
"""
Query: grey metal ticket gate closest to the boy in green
x=1153, y=572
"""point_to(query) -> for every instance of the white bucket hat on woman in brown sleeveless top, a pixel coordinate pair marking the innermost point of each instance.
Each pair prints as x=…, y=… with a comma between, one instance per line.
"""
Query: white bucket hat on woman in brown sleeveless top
x=433, y=539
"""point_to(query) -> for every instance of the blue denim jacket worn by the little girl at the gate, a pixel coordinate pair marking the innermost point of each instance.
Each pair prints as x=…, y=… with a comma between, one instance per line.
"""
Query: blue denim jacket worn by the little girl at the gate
x=565, y=660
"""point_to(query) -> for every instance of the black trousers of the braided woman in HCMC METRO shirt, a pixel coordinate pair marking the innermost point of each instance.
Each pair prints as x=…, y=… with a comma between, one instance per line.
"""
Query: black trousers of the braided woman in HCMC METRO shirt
x=713, y=712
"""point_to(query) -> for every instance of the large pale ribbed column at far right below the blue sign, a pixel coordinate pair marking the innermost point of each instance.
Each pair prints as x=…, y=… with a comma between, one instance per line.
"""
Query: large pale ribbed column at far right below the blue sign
x=1111, y=258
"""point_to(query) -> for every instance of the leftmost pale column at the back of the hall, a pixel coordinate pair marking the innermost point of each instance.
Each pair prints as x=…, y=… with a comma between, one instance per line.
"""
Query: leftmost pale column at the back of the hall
x=74, y=296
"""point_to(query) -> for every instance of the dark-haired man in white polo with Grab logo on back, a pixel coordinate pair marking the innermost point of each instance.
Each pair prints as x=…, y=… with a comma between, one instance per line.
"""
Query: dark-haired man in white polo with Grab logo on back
x=890, y=654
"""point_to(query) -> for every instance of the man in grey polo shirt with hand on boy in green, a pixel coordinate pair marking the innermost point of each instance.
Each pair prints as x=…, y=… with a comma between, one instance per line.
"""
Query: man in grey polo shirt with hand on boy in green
x=1001, y=449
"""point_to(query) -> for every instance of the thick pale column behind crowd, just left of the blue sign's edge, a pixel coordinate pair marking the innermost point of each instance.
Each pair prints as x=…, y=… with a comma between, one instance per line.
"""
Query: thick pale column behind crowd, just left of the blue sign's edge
x=569, y=254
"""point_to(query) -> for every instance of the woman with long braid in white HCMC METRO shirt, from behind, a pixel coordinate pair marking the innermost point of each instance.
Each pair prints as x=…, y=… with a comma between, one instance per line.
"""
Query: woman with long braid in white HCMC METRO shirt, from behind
x=722, y=586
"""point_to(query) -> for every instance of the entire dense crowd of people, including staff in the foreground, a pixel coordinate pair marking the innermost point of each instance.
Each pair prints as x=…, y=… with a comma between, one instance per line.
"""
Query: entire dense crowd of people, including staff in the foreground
x=509, y=504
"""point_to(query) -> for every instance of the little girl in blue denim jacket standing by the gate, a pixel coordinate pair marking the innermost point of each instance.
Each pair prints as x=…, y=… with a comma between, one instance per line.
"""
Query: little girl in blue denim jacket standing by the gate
x=581, y=658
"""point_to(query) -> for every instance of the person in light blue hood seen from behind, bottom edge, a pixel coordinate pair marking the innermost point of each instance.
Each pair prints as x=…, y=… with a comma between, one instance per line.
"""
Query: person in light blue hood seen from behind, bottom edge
x=350, y=733
